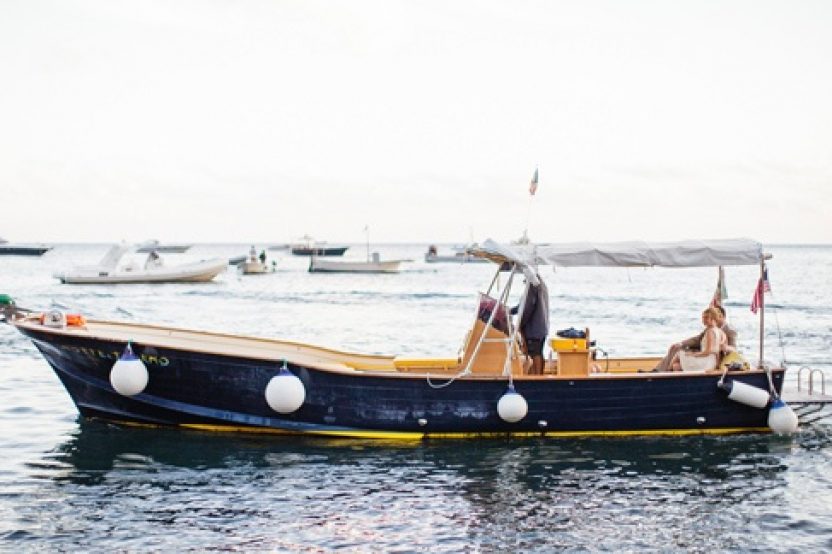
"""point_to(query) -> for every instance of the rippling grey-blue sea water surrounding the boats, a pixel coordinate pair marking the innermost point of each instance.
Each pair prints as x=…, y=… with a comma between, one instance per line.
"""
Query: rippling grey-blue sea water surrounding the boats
x=70, y=484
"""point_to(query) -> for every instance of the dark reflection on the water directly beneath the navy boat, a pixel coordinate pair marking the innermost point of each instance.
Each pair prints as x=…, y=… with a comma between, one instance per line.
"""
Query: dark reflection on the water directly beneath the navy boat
x=99, y=446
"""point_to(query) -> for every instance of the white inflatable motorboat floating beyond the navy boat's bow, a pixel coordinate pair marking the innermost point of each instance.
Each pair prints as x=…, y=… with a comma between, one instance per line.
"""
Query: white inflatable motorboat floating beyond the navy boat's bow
x=110, y=271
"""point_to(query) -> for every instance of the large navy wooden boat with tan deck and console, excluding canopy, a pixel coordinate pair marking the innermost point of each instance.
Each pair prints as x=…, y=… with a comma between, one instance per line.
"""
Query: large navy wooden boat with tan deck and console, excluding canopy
x=227, y=382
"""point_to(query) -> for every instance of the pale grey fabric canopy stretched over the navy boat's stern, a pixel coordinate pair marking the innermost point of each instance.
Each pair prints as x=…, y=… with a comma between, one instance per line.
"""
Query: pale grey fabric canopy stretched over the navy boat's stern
x=689, y=253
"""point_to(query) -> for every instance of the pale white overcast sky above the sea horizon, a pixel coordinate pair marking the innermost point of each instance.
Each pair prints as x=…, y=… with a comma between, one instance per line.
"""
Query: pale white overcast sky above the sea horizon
x=209, y=120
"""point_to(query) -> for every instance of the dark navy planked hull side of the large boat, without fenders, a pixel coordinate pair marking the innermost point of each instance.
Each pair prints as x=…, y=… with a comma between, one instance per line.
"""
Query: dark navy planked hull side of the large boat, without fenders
x=225, y=392
